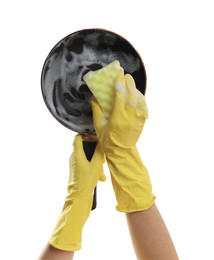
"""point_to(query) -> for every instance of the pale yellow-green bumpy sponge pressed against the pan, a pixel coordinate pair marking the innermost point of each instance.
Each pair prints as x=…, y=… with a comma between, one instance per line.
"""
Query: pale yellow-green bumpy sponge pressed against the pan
x=101, y=84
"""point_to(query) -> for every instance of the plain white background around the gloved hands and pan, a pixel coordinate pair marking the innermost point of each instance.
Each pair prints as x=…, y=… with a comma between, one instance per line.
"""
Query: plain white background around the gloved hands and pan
x=176, y=42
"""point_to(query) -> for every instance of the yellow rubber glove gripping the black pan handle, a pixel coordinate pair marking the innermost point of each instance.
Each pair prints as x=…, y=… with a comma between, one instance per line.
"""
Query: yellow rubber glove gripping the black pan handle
x=83, y=178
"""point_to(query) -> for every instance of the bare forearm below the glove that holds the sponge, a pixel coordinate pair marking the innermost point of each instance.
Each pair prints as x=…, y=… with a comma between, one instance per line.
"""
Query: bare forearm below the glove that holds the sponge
x=150, y=237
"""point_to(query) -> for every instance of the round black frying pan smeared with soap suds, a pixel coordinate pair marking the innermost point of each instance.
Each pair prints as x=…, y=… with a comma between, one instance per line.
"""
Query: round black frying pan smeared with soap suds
x=65, y=93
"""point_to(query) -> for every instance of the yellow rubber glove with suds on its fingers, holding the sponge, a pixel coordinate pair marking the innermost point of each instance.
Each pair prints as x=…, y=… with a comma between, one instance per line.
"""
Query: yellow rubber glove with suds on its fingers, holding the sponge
x=118, y=139
